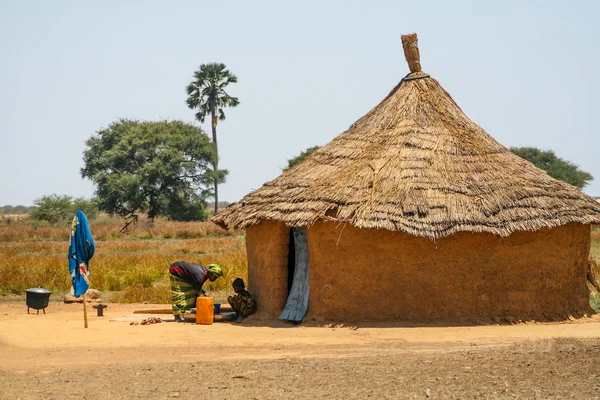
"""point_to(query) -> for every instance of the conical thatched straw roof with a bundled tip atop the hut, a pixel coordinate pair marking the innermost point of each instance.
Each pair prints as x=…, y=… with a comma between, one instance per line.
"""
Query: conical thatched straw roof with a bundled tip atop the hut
x=417, y=164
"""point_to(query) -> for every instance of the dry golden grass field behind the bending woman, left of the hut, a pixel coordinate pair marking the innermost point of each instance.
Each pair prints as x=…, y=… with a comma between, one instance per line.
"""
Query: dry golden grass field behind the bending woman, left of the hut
x=134, y=264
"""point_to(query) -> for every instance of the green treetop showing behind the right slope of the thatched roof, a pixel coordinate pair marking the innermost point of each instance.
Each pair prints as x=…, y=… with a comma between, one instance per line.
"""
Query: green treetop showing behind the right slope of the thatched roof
x=555, y=166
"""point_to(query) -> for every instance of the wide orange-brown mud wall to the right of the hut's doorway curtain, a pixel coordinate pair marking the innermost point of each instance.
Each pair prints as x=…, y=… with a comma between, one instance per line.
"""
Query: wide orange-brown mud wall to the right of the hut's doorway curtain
x=381, y=275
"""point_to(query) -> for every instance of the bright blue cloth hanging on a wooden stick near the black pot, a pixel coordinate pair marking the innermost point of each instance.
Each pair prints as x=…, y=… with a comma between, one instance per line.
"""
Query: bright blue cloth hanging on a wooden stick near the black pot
x=81, y=252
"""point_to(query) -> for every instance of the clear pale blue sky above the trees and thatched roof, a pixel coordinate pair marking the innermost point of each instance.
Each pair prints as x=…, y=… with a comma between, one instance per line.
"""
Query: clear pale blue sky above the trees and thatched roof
x=526, y=71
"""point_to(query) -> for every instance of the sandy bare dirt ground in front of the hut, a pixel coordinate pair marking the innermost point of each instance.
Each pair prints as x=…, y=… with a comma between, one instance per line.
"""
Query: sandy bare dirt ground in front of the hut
x=52, y=356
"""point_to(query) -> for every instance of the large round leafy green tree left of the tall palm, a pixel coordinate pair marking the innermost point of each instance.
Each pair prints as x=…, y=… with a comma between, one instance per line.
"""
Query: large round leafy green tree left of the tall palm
x=147, y=166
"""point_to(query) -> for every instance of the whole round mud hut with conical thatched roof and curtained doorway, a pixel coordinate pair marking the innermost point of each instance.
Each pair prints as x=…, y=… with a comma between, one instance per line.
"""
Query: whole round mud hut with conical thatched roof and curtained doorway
x=416, y=213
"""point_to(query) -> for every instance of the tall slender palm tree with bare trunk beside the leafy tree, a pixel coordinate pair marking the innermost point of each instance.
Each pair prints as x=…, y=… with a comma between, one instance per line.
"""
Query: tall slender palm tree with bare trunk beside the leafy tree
x=207, y=93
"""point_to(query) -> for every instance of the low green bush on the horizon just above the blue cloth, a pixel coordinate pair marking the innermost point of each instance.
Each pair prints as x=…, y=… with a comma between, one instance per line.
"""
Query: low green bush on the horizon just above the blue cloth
x=57, y=209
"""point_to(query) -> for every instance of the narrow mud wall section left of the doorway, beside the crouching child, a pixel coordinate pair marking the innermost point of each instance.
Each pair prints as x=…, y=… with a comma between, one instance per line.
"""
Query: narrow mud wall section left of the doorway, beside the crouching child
x=267, y=246
